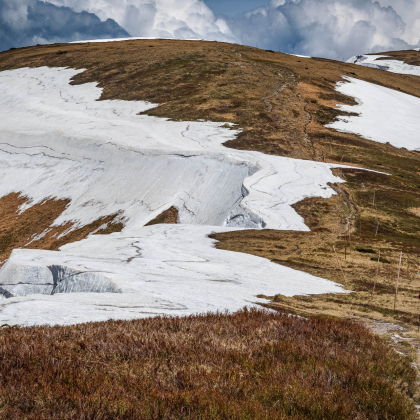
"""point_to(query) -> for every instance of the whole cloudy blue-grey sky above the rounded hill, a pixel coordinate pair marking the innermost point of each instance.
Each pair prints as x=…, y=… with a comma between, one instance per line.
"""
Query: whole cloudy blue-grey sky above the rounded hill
x=336, y=29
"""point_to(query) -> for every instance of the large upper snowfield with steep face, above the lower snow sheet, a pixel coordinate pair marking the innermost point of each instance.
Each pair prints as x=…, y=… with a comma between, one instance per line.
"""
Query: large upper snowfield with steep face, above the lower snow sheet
x=106, y=159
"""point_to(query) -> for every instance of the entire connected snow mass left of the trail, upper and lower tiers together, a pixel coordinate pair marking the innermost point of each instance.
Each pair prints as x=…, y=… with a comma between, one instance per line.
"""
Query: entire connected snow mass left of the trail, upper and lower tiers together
x=59, y=141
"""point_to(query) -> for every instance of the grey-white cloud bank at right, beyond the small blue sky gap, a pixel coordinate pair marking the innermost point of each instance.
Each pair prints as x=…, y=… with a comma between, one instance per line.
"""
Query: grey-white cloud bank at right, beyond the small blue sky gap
x=331, y=28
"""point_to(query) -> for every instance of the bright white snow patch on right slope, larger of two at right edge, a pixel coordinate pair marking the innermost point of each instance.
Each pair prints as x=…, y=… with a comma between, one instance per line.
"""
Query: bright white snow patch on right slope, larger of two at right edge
x=385, y=115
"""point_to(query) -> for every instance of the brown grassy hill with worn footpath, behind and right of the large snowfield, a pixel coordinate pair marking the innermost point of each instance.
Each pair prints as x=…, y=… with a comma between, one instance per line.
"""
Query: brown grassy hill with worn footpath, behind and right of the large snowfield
x=282, y=104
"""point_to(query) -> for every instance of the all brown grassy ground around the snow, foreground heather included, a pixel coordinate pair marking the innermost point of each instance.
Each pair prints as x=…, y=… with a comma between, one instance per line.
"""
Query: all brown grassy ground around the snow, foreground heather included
x=250, y=364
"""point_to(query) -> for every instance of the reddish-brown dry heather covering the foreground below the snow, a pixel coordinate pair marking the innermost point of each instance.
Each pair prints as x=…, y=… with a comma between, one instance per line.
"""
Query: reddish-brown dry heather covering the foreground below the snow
x=248, y=365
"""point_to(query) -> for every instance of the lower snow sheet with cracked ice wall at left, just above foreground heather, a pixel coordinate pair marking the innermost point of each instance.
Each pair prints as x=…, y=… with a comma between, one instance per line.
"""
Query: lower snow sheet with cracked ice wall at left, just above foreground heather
x=160, y=269
